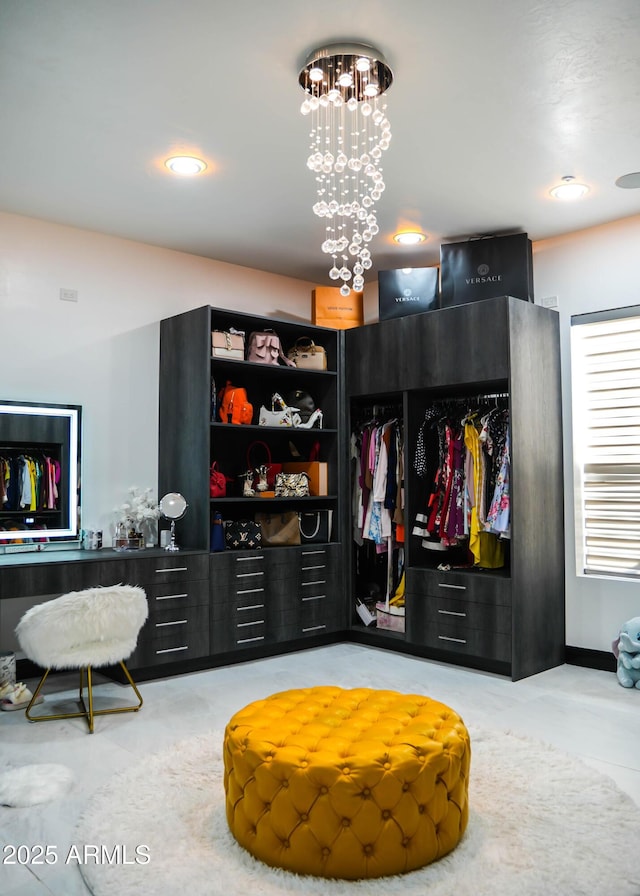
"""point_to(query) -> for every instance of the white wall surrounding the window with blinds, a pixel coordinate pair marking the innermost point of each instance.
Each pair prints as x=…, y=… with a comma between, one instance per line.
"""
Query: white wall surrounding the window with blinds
x=592, y=270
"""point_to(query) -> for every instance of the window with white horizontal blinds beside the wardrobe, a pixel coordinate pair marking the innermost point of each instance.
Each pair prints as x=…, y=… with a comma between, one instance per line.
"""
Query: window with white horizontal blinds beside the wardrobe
x=605, y=351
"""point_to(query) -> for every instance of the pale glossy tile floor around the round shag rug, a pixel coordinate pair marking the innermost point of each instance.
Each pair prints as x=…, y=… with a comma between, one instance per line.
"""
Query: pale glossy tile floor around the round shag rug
x=581, y=711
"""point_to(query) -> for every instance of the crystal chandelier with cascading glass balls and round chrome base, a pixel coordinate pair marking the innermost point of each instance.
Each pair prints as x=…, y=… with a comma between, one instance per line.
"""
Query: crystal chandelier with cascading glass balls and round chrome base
x=344, y=84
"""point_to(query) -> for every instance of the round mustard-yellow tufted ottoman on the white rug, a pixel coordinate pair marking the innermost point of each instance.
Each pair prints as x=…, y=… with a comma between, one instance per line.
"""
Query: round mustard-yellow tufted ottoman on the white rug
x=346, y=783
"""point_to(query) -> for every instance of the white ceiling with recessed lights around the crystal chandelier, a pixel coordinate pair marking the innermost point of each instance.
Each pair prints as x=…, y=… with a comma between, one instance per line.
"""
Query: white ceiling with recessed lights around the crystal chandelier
x=492, y=103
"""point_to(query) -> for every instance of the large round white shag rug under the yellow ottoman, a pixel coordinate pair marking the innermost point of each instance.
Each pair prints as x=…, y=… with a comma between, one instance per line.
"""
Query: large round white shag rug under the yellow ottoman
x=540, y=822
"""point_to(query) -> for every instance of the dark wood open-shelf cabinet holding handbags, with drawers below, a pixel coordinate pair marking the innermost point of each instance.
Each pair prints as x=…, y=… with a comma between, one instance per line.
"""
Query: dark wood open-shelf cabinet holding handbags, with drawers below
x=258, y=599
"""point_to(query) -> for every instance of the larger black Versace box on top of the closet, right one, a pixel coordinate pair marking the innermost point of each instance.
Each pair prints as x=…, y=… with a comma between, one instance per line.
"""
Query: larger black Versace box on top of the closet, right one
x=486, y=268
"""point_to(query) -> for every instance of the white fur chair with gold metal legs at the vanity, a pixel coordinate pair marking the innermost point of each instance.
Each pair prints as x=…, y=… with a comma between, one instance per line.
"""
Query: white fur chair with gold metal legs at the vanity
x=82, y=630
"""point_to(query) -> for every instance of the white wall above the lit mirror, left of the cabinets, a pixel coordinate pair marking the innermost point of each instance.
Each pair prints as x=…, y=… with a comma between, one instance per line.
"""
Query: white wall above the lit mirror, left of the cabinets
x=102, y=352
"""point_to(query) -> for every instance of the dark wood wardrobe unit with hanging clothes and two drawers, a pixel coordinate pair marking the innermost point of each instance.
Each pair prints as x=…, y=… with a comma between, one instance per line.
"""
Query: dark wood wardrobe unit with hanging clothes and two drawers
x=510, y=619
